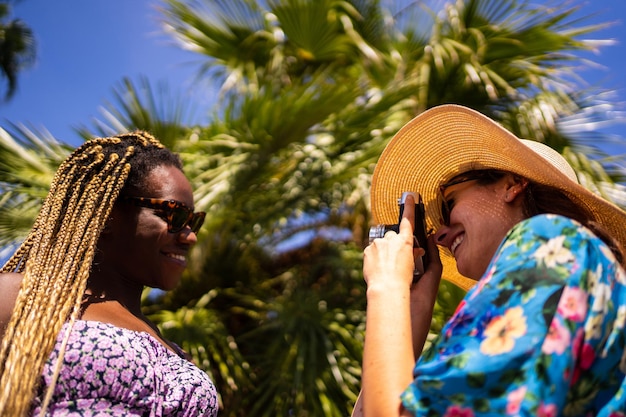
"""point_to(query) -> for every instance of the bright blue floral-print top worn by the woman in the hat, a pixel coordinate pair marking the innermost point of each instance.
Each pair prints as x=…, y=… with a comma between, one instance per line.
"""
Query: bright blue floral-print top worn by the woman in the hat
x=541, y=334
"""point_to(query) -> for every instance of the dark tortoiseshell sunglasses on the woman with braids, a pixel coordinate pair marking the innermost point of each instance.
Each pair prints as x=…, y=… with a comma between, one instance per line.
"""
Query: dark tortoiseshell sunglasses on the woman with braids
x=177, y=214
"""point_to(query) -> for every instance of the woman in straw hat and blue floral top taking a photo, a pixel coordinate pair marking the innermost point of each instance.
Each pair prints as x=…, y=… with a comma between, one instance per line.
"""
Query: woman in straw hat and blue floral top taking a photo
x=541, y=329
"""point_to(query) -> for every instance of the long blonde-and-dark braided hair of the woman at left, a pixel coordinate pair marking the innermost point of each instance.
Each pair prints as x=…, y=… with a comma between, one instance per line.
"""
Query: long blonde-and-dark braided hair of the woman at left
x=56, y=257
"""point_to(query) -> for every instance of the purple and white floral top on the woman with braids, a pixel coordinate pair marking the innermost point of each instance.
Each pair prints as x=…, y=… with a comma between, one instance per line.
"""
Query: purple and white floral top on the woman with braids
x=112, y=371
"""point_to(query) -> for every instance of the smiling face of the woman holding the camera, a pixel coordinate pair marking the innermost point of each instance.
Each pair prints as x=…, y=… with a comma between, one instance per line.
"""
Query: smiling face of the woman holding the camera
x=480, y=215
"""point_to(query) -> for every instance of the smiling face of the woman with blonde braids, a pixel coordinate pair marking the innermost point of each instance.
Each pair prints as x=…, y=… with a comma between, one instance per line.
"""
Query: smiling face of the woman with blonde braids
x=136, y=247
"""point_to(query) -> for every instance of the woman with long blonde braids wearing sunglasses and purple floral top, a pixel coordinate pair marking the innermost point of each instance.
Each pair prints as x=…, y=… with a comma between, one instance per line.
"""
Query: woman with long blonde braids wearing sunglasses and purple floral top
x=118, y=217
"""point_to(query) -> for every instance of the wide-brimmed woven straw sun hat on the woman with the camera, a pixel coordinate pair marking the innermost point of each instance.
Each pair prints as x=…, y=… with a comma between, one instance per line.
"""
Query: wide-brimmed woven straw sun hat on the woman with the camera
x=448, y=140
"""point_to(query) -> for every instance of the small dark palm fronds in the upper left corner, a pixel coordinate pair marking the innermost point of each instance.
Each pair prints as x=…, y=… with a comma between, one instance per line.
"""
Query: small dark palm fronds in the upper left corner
x=17, y=49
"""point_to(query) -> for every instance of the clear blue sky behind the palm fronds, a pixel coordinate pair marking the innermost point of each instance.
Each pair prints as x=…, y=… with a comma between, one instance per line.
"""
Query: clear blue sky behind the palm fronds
x=86, y=47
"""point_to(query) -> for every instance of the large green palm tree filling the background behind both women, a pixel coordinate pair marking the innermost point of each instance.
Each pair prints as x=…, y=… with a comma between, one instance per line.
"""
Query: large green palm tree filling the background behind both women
x=310, y=92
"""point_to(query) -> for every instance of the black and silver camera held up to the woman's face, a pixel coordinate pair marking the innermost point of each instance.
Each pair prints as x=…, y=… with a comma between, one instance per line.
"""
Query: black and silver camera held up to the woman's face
x=419, y=232
